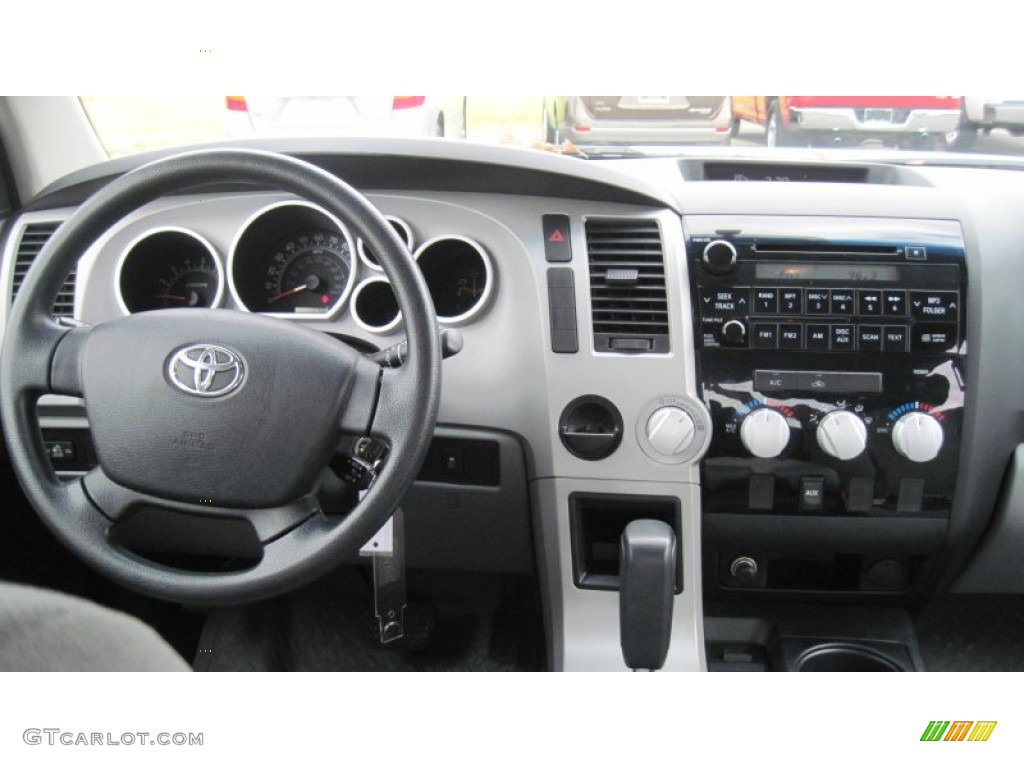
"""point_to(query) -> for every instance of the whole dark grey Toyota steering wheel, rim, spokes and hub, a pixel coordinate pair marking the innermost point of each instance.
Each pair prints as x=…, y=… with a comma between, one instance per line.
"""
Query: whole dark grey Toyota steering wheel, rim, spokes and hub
x=217, y=413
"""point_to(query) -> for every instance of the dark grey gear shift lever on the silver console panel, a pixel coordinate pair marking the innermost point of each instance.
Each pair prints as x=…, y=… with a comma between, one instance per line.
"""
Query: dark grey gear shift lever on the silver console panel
x=648, y=581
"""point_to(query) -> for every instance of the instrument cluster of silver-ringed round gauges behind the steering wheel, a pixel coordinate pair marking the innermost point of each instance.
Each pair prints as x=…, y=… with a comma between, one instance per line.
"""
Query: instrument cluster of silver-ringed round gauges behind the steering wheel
x=293, y=260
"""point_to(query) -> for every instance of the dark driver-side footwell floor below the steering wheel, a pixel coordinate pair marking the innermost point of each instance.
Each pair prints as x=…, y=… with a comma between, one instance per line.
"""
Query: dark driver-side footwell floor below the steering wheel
x=462, y=623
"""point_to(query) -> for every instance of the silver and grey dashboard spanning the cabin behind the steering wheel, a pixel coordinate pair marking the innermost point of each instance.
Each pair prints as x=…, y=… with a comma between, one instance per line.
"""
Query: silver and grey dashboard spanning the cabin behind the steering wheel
x=808, y=369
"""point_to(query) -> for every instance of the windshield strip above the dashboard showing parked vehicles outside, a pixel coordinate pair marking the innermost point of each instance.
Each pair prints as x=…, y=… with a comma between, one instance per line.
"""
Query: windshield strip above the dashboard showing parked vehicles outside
x=582, y=126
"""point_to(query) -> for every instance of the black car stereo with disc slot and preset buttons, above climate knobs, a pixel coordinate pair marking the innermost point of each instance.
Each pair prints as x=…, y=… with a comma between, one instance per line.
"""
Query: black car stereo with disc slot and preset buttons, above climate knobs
x=843, y=292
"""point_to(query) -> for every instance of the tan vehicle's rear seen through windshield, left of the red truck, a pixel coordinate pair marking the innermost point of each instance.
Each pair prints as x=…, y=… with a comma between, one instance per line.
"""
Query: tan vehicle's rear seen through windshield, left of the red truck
x=637, y=120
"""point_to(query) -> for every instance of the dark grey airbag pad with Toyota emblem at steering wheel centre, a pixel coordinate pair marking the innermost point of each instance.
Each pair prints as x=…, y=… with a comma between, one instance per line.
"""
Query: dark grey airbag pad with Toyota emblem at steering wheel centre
x=155, y=437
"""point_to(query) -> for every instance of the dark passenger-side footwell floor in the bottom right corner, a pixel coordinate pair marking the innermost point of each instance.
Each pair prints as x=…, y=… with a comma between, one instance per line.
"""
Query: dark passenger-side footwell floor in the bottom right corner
x=973, y=633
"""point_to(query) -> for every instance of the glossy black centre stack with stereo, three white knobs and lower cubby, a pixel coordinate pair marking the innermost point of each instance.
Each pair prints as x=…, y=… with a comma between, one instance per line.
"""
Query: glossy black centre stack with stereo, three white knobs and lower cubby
x=831, y=357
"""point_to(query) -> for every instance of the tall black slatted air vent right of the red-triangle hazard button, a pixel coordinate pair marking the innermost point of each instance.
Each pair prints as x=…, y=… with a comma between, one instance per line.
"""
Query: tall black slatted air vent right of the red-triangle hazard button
x=627, y=286
